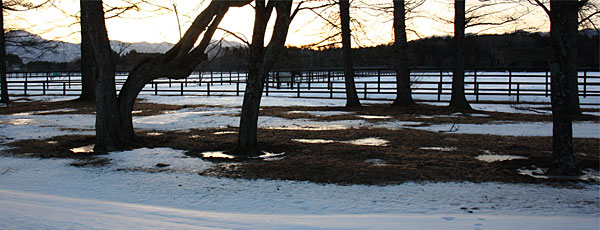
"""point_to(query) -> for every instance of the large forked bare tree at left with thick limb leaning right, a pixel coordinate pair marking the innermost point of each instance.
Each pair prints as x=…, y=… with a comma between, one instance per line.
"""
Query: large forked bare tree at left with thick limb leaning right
x=113, y=119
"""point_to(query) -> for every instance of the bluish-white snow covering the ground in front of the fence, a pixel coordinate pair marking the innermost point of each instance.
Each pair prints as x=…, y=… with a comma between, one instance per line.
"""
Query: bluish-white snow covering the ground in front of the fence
x=51, y=194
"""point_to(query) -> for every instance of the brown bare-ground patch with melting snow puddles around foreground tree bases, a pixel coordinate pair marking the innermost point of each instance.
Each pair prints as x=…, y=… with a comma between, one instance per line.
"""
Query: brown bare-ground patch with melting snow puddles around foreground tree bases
x=402, y=159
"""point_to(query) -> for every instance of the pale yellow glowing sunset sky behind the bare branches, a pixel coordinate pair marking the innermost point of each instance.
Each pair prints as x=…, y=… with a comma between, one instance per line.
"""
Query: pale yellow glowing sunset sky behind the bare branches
x=154, y=27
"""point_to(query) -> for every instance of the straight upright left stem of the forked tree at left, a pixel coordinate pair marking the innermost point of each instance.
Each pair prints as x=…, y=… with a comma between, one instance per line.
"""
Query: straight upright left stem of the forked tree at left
x=94, y=32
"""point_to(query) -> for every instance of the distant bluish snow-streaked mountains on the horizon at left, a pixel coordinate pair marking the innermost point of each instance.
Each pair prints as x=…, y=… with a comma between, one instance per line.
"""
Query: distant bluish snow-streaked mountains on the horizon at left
x=31, y=47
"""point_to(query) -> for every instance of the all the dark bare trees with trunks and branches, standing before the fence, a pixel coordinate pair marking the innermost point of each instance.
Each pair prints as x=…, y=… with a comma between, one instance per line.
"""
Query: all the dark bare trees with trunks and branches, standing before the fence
x=114, y=126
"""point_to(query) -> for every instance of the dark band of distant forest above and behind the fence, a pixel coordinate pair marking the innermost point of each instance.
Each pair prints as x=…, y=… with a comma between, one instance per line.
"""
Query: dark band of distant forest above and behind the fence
x=521, y=49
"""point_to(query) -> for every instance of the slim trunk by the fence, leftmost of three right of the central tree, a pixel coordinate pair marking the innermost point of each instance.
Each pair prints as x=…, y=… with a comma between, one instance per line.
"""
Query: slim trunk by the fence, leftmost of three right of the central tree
x=351, y=95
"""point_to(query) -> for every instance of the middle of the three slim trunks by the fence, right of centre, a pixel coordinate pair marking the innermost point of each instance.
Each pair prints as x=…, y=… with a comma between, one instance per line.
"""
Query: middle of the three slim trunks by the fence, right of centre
x=403, y=91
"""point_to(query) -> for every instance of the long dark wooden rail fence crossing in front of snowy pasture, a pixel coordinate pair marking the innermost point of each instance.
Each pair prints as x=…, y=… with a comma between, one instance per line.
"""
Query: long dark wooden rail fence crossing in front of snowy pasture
x=513, y=85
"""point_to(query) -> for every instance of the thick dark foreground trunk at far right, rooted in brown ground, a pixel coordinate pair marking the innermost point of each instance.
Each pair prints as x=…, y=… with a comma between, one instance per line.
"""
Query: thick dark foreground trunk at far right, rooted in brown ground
x=563, y=32
